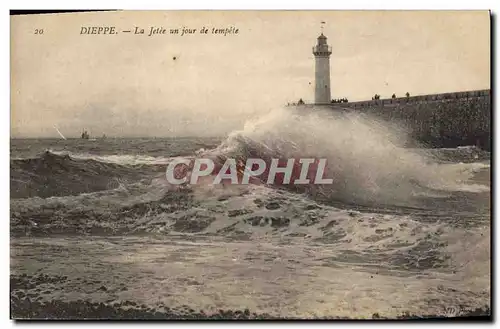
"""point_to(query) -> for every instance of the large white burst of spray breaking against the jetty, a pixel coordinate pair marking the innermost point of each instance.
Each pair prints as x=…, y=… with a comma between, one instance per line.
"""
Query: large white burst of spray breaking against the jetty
x=366, y=157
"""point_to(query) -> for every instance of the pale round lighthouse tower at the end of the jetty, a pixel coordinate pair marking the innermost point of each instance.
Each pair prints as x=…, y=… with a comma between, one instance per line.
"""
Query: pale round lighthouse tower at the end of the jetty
x=322, y=54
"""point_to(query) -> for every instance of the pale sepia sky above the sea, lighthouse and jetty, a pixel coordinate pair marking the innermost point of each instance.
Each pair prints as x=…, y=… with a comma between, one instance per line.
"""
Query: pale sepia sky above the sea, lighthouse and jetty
x=130, y=85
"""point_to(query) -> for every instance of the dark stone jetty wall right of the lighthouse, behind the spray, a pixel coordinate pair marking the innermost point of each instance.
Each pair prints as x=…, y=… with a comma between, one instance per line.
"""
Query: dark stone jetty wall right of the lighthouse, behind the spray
x=441, y=120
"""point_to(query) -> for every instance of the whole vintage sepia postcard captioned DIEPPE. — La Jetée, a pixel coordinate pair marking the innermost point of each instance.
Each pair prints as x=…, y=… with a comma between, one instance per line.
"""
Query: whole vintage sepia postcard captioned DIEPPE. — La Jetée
x=250, y=165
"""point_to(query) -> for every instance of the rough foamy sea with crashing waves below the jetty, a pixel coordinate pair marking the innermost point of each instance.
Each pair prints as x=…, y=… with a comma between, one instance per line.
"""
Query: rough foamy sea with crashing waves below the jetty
x=403, y=230
